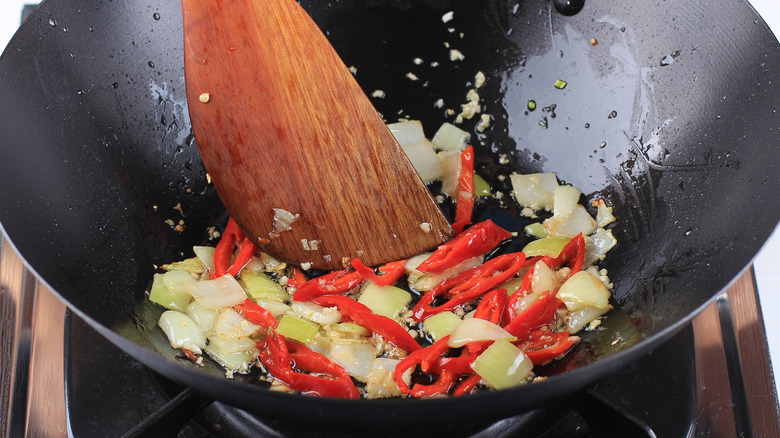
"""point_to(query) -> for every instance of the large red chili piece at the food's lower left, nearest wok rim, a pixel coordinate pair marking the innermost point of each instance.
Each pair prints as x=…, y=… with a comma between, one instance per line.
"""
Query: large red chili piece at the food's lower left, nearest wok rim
x=326, y=378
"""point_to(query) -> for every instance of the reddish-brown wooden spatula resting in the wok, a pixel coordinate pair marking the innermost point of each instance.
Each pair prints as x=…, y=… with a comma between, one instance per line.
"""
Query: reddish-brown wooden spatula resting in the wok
x=285, y=131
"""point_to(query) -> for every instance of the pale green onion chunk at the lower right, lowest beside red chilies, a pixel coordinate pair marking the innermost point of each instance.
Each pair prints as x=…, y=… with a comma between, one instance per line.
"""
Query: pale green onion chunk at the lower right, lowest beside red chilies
x=502, y=365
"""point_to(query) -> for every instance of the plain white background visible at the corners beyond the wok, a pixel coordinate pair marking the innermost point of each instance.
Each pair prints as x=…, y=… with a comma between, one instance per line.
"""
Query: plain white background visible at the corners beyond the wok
x=768, y=277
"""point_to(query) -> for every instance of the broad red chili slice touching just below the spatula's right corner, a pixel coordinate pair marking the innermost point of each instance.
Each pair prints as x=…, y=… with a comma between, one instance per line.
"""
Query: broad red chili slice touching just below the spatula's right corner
x=475, y=241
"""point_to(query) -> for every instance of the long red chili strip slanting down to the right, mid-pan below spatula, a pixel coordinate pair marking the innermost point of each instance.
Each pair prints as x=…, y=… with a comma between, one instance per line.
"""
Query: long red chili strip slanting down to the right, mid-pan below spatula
x=362, y=315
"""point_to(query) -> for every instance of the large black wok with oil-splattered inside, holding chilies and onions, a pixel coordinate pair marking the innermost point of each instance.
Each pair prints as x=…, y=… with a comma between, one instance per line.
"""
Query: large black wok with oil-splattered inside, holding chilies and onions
x=670, y=117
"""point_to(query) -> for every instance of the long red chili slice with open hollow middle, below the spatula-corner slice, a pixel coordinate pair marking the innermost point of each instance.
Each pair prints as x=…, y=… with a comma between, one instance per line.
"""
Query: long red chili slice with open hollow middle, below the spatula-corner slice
x=469, y=285
